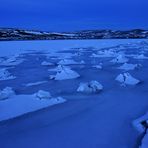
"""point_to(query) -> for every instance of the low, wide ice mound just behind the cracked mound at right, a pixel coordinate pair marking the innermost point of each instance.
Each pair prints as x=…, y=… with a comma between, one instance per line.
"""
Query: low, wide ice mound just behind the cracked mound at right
x=127, y=66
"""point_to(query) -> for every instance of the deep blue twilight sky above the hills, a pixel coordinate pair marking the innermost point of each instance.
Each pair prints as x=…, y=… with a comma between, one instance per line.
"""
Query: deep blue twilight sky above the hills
x=67, y=15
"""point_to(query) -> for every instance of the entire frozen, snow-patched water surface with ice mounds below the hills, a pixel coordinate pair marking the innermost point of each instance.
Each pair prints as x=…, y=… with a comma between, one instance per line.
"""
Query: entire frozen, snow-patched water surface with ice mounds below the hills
x=74, y=94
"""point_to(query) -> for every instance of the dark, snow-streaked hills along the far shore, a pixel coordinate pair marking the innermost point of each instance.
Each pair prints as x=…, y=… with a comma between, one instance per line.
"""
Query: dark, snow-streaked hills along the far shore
x=20, y=34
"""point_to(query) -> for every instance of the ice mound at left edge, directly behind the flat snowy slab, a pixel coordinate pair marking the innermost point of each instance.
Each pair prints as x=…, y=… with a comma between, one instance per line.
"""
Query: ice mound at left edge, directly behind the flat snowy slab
x=6, y=93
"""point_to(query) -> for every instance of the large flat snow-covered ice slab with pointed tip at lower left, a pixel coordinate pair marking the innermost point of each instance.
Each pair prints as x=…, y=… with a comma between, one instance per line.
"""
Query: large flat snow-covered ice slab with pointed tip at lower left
x=21, y=104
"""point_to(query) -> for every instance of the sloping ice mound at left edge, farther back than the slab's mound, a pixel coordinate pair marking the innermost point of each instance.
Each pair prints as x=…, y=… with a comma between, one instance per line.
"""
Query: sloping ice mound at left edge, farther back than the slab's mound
x=5, y=75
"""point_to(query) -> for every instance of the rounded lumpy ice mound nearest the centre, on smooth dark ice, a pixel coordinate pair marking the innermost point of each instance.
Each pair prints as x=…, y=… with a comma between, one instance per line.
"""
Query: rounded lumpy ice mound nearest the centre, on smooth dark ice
x=90, y=87
